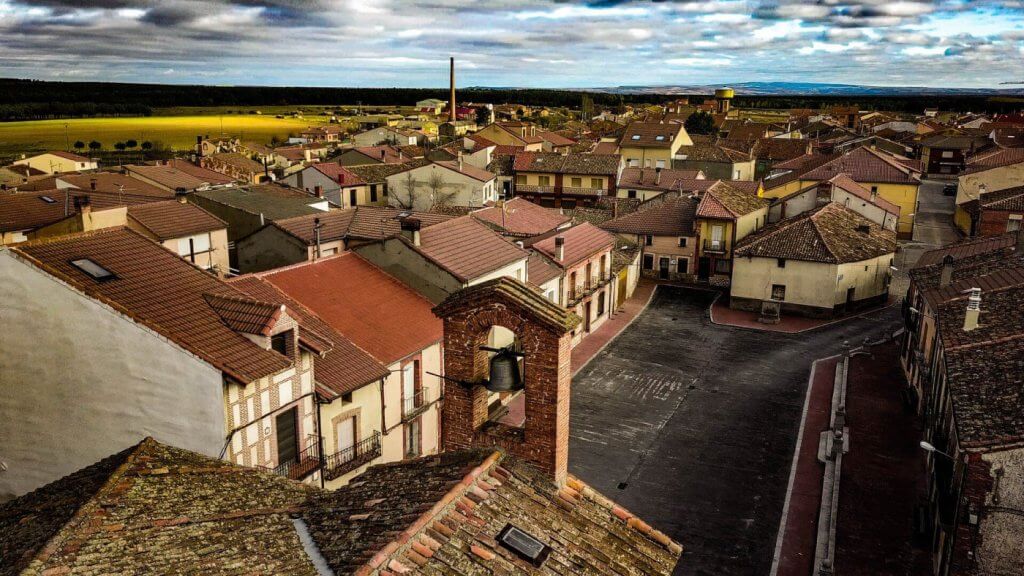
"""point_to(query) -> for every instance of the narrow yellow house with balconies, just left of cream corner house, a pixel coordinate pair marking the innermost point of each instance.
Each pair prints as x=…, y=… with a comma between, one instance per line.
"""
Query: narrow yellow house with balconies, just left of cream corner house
x=726, y=216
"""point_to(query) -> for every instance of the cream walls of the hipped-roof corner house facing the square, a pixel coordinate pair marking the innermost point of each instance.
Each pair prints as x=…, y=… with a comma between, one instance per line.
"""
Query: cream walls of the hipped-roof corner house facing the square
x=807, y=284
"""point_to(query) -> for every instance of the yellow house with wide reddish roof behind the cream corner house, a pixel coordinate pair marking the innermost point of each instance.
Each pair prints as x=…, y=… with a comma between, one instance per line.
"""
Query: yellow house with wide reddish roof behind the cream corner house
x=892, y=179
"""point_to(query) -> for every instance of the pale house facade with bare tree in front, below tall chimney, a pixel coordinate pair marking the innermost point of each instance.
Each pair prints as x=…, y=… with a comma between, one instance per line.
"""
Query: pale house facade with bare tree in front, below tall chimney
x=456, y=190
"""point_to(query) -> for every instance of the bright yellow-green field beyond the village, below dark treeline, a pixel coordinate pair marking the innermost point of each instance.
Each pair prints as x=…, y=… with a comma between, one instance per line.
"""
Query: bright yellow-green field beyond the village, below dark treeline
x=174, y=132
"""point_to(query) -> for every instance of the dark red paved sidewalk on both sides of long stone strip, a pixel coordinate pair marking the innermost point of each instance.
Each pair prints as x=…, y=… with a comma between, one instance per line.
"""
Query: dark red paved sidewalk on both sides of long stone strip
x=882, y=478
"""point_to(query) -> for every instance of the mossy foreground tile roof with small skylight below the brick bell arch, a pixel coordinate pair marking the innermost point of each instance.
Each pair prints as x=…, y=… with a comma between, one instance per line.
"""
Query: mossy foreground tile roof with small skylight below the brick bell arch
x=443, y=515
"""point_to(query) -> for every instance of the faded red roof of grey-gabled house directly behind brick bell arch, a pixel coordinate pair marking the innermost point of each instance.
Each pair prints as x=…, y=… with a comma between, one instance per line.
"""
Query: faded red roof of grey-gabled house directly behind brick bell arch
x=467, y=249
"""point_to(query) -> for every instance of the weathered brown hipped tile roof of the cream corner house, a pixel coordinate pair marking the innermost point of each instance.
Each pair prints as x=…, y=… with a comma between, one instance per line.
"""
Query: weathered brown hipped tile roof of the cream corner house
x=832, y=234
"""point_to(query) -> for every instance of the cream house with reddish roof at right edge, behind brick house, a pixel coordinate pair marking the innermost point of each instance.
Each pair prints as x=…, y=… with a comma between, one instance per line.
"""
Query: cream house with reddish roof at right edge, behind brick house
x=988, y=173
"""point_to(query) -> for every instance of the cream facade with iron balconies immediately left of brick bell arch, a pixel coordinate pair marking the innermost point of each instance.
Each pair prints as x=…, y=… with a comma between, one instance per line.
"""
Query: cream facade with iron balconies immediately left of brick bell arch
x=409, y=426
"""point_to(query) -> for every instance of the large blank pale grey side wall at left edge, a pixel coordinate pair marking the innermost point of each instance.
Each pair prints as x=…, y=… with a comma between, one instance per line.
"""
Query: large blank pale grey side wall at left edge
x=80, y=382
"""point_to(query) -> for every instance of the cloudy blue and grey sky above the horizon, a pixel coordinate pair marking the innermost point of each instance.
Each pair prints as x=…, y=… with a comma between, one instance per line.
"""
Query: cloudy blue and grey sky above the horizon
x=543, y=44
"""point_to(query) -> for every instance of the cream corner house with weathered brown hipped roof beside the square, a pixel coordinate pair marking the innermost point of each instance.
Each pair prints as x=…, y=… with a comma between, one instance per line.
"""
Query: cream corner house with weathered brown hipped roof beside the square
x=818, y=264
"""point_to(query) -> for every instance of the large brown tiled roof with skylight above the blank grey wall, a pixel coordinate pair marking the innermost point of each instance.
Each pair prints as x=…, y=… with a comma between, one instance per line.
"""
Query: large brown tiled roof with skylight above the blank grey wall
x=156, y=289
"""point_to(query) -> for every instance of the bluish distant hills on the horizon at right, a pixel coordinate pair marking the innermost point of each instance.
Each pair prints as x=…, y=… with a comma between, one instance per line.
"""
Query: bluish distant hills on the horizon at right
x=814, y=90
